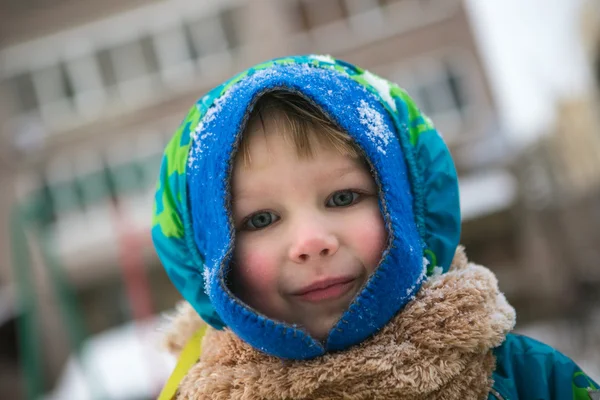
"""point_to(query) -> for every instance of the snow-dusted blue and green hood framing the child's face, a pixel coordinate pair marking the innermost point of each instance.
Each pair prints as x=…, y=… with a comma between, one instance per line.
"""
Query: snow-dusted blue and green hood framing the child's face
x=418, y=196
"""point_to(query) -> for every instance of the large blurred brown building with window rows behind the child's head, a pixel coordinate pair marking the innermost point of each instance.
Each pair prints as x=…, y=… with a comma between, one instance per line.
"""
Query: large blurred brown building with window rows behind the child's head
x=91, y=92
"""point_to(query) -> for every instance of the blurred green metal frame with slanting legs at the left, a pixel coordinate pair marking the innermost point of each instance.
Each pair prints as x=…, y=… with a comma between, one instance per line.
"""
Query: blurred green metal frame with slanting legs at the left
x=31, y=219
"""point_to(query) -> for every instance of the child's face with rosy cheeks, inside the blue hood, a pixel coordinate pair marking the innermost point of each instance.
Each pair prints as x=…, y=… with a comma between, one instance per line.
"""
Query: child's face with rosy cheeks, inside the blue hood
x=309, y=231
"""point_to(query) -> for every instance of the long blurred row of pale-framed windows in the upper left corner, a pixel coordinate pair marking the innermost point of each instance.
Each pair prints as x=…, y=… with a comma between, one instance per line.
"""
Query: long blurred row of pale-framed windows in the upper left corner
x=85, y=82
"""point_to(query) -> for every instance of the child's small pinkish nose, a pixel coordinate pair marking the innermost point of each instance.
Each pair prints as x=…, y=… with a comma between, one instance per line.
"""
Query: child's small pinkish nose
x=312, y=245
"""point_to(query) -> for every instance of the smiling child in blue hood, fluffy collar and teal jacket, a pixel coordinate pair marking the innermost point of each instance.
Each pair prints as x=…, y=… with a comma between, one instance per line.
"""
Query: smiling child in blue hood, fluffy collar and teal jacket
x=308, y=212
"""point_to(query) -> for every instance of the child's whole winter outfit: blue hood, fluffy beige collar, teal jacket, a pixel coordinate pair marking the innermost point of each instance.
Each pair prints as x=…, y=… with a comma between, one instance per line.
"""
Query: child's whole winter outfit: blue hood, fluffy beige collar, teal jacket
x=417, y=330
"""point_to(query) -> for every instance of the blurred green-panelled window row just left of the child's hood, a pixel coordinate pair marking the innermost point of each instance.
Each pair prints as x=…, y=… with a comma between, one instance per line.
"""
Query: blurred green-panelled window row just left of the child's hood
x=72, y=185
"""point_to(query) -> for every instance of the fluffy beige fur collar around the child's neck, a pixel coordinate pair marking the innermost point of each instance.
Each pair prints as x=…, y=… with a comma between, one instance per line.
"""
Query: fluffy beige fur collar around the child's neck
x=437, y=347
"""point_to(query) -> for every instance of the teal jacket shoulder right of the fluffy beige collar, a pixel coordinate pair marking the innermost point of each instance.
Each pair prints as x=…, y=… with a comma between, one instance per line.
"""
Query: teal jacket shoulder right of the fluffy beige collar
x=529, y=370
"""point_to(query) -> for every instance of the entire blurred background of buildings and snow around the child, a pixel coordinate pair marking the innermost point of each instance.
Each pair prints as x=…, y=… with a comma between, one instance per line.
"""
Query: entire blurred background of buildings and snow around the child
x=91, y=91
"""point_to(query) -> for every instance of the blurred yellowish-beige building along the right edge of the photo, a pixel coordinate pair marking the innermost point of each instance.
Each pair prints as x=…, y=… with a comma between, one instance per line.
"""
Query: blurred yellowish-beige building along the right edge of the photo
x=559, y=177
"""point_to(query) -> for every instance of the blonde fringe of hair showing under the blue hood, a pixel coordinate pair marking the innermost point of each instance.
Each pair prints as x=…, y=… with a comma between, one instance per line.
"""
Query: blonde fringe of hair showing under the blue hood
x=304, y=125
